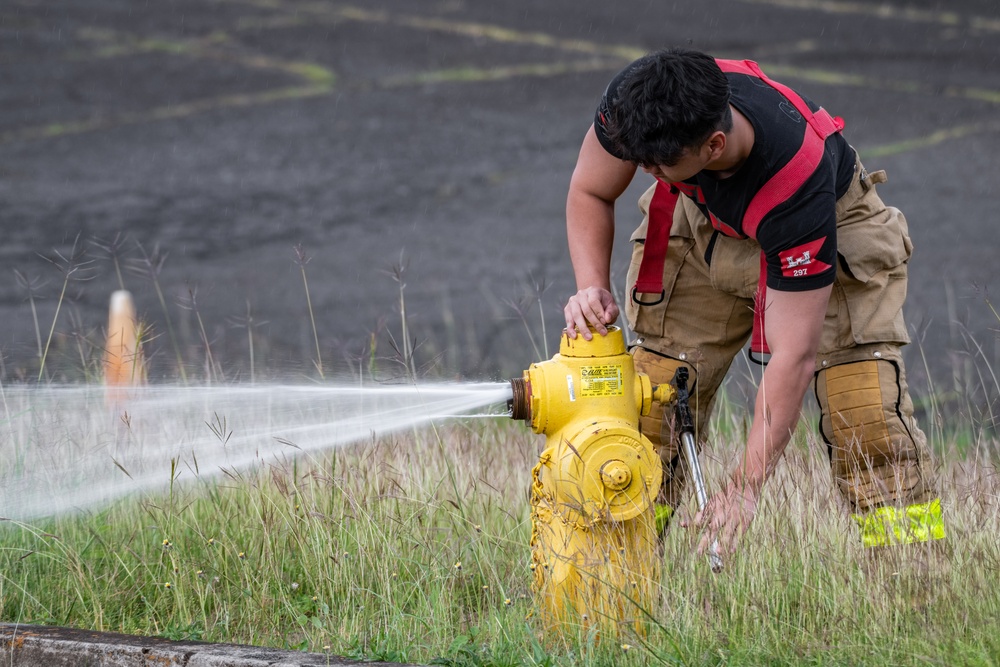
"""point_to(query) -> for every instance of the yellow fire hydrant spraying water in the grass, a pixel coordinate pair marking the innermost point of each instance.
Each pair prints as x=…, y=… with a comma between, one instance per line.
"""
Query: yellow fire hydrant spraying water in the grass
x=593, y=540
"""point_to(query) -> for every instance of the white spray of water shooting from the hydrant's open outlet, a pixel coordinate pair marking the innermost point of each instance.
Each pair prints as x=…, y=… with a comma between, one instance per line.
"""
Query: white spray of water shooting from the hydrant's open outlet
x=64, y=449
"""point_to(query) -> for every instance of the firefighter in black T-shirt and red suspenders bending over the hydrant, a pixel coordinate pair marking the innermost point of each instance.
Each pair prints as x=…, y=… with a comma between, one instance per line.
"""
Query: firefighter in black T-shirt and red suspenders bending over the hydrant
x=761, y=224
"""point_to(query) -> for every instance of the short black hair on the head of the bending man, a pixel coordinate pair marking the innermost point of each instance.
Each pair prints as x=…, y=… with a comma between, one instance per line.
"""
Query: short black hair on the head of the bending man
x=664, y=103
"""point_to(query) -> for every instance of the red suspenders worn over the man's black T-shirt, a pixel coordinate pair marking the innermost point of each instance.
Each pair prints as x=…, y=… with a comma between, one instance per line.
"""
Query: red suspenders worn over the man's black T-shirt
x=778, y=189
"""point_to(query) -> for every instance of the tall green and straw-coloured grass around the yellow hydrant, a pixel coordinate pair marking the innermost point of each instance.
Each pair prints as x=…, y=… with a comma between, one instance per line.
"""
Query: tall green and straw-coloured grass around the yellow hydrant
x=415, y=548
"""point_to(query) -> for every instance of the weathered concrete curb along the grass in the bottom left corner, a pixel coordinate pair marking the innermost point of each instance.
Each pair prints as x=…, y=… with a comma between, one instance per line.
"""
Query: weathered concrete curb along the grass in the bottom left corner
x=43, y=646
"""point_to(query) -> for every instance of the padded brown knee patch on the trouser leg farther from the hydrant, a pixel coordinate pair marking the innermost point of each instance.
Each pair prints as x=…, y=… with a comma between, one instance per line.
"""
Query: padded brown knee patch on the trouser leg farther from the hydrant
x=873, y=453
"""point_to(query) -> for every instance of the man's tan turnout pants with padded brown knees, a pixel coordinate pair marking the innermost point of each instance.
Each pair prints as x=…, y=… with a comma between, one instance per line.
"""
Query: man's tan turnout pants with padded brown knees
x=878, y=455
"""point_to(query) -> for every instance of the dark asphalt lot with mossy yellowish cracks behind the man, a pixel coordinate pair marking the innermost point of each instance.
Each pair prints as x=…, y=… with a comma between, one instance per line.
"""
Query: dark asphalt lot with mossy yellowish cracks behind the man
x=436, y=135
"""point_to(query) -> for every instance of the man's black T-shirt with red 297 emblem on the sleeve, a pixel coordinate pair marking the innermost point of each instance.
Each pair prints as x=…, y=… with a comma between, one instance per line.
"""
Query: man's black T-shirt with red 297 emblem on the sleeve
x=798, y=236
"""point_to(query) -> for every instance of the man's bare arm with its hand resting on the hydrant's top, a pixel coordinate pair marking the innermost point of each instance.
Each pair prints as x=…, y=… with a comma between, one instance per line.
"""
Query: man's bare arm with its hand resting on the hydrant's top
x=597, y=182
